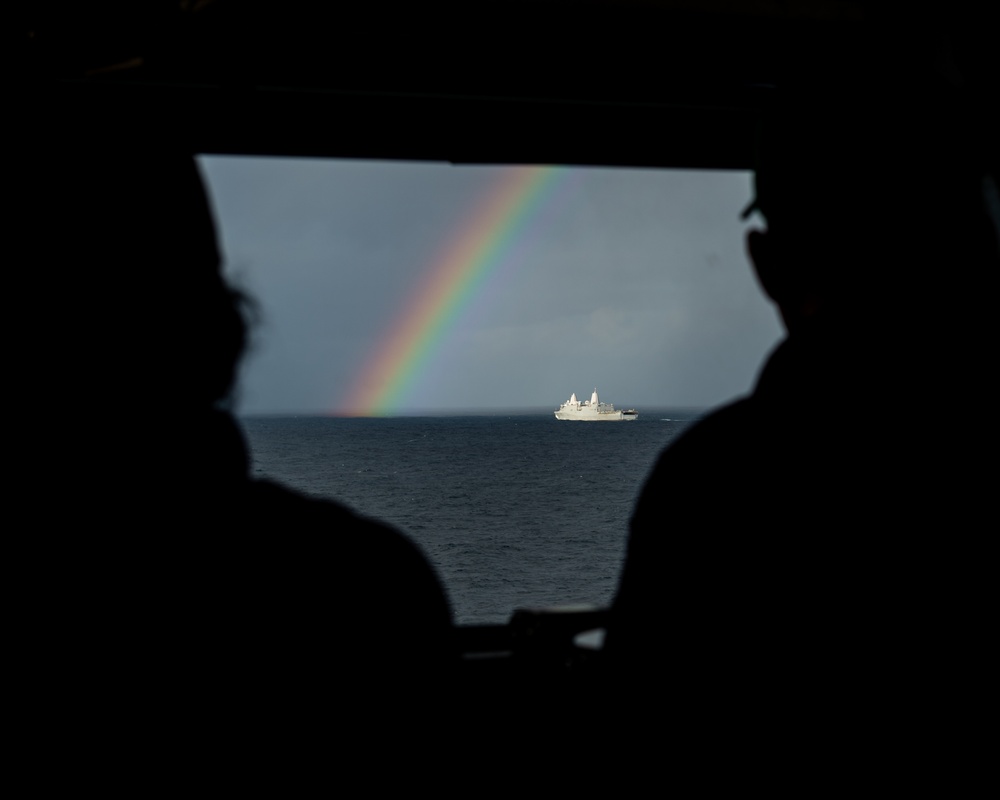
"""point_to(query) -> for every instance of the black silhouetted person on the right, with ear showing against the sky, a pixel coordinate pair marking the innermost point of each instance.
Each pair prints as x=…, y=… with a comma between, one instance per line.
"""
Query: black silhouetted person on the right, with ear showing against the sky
x=804, y=565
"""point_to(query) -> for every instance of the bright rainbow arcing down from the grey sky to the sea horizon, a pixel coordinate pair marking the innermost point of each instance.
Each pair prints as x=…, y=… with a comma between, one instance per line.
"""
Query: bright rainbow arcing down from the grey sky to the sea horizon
x=452, y=281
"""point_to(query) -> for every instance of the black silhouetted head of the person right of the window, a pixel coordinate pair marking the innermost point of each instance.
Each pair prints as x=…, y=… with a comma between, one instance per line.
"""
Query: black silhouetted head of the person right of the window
x=876, y=199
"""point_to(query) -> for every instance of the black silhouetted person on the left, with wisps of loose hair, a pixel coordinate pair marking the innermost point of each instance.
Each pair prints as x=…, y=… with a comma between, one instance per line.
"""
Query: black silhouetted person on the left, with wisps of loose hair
x=172, y=606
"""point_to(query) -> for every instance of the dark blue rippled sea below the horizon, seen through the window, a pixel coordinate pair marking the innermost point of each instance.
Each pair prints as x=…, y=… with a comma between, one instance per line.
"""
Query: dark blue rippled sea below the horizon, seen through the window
x=514, y=510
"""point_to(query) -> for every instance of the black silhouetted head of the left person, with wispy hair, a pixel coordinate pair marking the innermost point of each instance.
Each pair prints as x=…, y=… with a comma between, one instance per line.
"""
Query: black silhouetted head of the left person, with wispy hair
x=124, y=265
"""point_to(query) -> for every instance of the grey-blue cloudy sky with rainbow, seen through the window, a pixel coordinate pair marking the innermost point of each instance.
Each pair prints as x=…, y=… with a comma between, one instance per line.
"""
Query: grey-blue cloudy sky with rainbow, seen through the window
x=388, y=288
